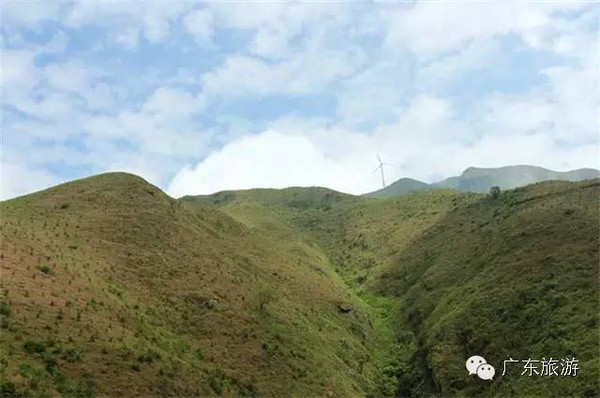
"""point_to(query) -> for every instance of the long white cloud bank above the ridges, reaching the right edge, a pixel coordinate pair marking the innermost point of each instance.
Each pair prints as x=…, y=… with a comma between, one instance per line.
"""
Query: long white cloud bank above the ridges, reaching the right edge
x=428, y=141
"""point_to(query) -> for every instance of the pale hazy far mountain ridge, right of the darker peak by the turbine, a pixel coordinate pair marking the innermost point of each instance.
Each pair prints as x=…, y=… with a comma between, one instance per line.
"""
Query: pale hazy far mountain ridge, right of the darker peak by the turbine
x=476, y=179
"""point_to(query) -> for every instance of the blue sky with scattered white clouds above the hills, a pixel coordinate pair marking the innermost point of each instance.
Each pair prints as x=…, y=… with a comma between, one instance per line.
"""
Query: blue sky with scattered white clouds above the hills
x=200, y=97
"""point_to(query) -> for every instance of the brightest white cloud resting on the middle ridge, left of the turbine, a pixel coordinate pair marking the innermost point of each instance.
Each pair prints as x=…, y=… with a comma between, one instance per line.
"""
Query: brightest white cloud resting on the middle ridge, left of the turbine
x=270, y=159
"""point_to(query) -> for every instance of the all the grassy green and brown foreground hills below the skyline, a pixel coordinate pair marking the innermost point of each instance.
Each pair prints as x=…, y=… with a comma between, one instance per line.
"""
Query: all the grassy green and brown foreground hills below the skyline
x=301, y=291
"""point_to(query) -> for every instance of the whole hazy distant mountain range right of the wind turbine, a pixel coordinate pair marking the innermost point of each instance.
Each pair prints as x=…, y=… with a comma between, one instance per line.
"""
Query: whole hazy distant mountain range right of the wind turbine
x=475, y=179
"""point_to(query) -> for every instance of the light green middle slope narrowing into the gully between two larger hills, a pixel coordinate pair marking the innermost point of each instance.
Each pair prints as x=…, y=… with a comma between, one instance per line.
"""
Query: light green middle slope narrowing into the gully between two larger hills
x=360, y=238
